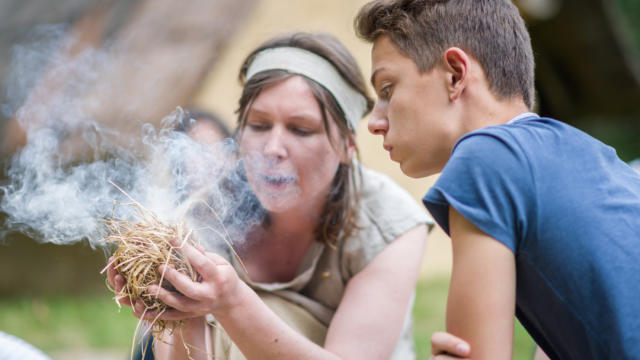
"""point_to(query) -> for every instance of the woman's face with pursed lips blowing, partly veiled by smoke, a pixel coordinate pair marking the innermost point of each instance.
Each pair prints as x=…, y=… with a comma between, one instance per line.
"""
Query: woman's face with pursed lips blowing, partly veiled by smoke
x=289, y=159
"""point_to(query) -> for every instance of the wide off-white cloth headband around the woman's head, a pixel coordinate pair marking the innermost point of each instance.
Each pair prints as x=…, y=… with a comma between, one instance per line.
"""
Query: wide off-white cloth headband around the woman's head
x=314, y=67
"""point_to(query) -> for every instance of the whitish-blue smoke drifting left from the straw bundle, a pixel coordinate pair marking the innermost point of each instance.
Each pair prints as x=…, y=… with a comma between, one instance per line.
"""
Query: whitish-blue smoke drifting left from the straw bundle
x=59, y=184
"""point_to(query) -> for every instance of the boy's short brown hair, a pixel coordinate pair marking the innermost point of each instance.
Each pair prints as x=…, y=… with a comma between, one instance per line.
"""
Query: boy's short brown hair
x=491, y=31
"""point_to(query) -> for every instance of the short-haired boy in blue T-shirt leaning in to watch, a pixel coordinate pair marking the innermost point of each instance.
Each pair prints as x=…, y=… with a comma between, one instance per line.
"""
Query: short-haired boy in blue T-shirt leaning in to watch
x=544, y=219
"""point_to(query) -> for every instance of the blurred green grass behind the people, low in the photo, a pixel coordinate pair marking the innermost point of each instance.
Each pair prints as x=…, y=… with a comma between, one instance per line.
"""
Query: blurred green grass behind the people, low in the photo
x=58, y=323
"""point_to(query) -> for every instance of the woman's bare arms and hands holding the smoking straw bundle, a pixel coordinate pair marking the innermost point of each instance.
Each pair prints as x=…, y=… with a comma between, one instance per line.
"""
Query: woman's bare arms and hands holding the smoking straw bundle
x=367, y=323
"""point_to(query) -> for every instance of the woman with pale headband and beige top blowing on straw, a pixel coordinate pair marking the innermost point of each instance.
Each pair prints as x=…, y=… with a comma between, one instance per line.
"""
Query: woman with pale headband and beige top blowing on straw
x=332, y=270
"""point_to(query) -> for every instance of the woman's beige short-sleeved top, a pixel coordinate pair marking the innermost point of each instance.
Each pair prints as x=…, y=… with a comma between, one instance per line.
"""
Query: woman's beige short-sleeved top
x=386, y=212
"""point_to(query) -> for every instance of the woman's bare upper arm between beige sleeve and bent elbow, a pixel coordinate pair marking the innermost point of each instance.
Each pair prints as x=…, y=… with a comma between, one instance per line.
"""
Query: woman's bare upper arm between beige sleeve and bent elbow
x=376, y=301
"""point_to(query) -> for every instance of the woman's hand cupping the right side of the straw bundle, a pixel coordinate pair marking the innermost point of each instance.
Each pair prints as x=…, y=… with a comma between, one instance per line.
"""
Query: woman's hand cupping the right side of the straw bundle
x=216, y=290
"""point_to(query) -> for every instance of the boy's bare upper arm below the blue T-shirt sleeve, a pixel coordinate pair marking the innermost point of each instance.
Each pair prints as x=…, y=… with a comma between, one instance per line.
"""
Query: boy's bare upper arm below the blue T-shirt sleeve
x=481, y=302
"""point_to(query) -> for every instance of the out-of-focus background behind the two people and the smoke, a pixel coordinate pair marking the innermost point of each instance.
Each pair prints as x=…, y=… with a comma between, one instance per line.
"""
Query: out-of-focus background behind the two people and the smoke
x=161, y=54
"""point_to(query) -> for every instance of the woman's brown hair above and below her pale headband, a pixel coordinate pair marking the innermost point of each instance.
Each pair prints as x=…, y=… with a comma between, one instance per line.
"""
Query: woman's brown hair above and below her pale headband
x=339, y=214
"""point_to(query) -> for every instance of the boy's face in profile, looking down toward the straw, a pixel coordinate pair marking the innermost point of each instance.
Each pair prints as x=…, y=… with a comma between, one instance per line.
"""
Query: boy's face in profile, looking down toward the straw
x=413, y=113
